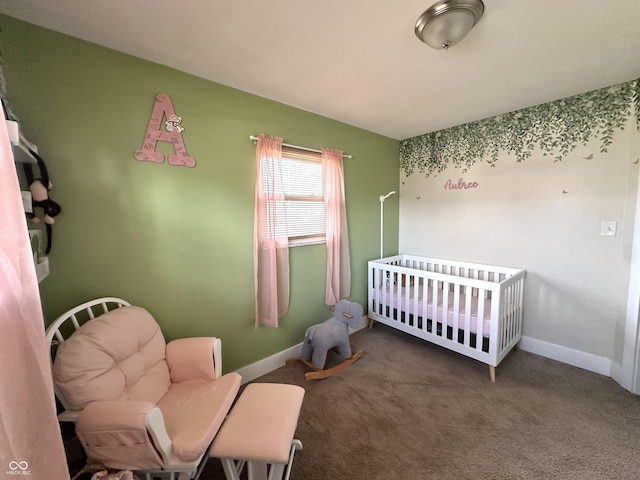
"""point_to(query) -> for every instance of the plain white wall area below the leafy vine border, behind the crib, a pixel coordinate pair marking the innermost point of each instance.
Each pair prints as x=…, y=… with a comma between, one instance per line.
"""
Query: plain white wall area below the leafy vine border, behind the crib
x=577, y=283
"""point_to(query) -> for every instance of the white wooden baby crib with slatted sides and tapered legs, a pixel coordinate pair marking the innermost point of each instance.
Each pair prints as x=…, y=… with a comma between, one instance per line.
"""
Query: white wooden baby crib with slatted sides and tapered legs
x=470, y=308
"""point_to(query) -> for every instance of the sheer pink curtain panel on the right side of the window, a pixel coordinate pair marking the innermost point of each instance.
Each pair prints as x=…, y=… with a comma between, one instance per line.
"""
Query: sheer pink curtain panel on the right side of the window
x=338, y=264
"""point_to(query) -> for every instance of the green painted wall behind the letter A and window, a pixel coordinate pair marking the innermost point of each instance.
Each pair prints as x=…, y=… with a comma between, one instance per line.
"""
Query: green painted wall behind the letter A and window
x=173, y=239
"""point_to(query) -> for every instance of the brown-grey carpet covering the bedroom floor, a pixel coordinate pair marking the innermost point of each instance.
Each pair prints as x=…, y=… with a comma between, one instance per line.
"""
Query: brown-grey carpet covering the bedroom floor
x=411, y=410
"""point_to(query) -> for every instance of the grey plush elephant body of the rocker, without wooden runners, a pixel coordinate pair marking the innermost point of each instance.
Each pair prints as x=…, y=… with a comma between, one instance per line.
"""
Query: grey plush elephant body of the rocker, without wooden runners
x=332, y=334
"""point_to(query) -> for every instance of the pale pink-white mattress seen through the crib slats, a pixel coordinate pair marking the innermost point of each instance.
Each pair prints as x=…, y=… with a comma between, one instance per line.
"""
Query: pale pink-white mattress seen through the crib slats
x=396, y=299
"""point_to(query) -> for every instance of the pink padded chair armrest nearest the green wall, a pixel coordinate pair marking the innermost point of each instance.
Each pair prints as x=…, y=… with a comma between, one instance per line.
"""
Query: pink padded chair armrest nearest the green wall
x=194, y=359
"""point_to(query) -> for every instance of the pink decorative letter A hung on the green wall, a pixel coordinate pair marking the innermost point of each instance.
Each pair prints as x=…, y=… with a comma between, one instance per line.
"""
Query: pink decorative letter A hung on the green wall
x=164, y=107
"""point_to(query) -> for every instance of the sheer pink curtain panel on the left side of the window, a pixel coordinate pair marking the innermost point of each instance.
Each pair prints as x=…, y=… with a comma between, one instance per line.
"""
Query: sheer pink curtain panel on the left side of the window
x=270, y=241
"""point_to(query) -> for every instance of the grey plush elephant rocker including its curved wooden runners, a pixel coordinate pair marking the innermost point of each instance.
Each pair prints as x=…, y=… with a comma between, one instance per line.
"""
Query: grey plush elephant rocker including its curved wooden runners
x=330, y=335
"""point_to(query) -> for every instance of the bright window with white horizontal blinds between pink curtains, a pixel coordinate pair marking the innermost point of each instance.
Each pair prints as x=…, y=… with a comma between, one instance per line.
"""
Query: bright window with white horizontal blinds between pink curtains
x=303, y=204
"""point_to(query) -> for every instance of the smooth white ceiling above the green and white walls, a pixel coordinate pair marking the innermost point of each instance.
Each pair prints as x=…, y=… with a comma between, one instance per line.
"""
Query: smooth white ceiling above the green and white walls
x=359, y=61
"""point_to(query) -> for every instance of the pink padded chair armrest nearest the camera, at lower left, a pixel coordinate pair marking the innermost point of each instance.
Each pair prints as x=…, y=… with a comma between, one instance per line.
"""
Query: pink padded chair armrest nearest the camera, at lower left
x=124, y=434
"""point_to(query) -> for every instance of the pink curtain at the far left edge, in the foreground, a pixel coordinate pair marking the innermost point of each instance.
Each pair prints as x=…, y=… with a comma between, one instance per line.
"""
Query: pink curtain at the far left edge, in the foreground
x=30, y=441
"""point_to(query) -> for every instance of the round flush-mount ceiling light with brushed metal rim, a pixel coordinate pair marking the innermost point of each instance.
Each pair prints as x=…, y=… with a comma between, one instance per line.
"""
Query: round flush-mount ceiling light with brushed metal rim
x=447, y=22
